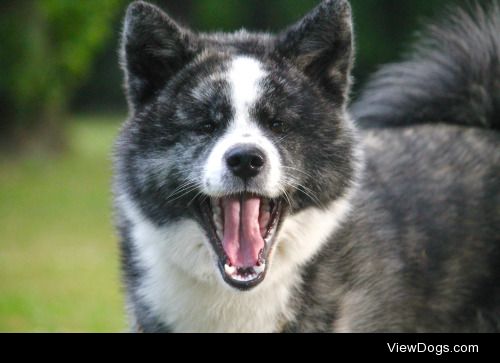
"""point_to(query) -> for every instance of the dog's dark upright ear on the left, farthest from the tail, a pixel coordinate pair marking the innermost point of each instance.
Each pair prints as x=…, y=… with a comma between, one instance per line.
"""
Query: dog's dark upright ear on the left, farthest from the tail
x=153, y=49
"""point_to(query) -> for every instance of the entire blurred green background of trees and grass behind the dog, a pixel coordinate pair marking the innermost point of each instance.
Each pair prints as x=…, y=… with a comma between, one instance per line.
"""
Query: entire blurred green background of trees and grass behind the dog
x=61, y=104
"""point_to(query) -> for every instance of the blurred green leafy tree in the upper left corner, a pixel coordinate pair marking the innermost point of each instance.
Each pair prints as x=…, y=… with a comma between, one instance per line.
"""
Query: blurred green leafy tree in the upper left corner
x=47, y=47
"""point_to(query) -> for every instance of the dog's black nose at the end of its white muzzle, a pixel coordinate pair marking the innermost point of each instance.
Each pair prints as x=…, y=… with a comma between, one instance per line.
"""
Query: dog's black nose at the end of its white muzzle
x=245, y=161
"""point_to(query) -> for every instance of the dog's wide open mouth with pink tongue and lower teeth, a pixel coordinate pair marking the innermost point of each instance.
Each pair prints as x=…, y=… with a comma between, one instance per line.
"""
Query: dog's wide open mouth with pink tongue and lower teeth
x=242, y=229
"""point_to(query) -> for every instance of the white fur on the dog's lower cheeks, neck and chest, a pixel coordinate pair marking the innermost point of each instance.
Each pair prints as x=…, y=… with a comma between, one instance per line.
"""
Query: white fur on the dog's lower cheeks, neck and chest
x=184, y=289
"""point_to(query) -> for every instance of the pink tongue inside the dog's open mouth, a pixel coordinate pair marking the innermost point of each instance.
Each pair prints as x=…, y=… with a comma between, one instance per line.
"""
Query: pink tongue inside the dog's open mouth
x=242, y=240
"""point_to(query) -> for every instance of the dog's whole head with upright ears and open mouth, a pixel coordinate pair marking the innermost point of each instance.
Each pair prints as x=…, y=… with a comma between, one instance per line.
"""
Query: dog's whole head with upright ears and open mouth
x=236, y=132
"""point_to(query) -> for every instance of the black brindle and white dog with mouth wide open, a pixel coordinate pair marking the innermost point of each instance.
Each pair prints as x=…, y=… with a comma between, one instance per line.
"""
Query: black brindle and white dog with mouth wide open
x=252, y=196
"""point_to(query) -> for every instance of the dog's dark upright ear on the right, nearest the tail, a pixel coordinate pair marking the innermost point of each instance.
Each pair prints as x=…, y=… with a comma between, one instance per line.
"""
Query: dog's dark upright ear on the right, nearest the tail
x=321, y=46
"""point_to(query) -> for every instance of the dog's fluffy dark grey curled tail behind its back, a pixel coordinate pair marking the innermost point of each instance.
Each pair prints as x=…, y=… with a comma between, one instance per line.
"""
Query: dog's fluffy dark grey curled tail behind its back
x=452, y=76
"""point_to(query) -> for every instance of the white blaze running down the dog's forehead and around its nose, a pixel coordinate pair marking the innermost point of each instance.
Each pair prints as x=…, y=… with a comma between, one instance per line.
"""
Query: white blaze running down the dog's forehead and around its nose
x=245, y=75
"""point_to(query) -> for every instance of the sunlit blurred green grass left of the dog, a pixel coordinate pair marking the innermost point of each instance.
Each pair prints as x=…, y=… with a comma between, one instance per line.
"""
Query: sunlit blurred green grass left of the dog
x=59, y=266
